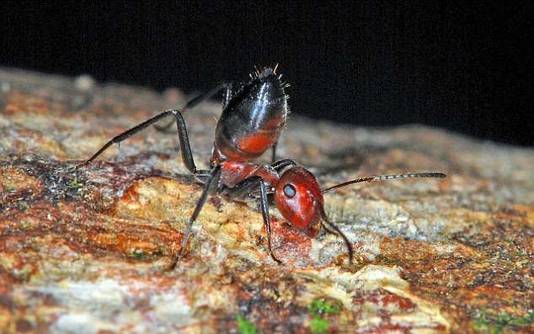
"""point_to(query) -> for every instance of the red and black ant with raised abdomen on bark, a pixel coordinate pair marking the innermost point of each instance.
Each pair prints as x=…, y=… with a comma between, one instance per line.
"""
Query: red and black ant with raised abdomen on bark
x=252, y=119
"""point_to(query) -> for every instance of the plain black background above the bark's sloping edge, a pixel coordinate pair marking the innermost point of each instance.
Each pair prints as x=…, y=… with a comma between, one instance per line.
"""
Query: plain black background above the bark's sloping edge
x=465, y=67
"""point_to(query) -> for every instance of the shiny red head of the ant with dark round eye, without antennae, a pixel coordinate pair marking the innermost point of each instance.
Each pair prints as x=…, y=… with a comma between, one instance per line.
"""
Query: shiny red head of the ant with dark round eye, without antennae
x=299, y=199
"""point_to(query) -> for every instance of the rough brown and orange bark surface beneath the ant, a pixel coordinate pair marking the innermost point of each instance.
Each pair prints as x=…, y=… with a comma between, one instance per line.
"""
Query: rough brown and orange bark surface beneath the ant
x=86, y=250
